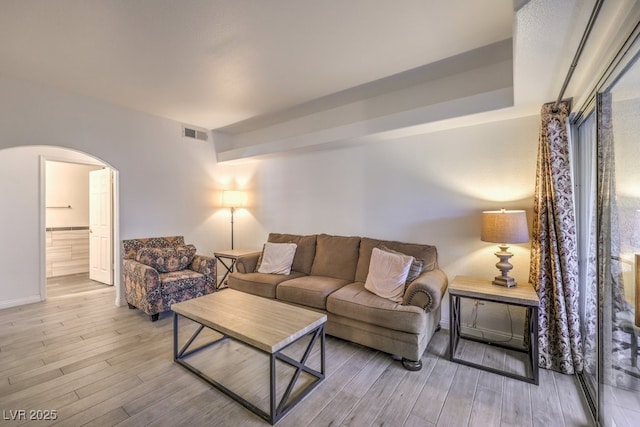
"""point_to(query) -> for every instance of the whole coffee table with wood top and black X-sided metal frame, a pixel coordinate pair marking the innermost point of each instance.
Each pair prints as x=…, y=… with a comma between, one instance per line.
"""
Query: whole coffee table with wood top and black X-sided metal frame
x=266, y=325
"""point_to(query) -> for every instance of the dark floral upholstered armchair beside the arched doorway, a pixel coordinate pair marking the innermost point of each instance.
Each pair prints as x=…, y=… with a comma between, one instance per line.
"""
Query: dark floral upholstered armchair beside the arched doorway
x=160, y=271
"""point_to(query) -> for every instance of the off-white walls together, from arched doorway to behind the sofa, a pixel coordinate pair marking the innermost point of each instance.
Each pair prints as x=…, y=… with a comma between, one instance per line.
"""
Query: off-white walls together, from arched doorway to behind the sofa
x=429, y=188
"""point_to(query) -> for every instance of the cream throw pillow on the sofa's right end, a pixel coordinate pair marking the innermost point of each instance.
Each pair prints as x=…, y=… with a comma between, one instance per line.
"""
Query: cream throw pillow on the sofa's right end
x=387, y=274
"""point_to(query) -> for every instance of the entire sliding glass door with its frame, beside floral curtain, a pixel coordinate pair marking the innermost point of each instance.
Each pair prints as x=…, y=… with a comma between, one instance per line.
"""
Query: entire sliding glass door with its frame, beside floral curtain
x=607, y=159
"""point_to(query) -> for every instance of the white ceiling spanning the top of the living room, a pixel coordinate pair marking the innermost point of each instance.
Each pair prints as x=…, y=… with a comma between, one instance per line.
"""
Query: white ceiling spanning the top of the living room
x=215, y=63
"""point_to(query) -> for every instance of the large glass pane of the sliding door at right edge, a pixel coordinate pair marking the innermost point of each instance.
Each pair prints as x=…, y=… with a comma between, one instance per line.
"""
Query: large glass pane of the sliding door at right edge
x=618, y=109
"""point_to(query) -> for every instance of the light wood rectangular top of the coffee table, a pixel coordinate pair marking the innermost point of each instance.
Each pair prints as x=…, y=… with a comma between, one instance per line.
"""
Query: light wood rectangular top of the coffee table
x=266, y=324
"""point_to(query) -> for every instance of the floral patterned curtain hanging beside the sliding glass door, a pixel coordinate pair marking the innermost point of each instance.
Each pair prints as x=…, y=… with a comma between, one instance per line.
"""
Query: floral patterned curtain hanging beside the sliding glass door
x=554, y=259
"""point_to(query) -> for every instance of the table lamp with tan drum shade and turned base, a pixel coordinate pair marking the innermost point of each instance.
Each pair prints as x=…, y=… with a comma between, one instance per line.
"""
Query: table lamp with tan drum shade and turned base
x=504, y=227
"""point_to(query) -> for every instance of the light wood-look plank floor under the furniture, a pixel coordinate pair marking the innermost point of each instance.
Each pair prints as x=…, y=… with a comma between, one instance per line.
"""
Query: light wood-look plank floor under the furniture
x=100, y=365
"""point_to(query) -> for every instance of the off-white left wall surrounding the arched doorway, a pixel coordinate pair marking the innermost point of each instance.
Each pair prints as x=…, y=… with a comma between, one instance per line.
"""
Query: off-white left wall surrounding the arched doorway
x=167, y=184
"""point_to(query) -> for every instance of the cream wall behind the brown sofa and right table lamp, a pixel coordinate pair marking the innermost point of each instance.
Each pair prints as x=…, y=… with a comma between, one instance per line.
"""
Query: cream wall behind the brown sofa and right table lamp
x=426, y=189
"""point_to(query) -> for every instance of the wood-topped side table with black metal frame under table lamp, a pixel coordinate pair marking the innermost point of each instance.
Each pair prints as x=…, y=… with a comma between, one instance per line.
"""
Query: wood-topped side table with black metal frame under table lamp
x=522, y=295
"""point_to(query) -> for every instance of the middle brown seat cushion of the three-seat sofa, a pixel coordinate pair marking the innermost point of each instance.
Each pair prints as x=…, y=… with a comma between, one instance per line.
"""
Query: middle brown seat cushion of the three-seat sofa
x=310, y=291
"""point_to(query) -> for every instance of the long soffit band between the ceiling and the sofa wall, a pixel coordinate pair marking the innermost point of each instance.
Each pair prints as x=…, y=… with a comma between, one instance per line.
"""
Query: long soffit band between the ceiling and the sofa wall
x=469, y=83
